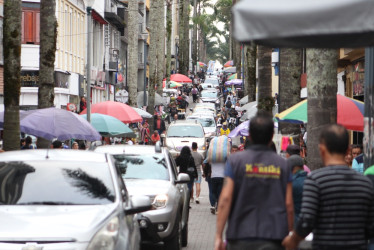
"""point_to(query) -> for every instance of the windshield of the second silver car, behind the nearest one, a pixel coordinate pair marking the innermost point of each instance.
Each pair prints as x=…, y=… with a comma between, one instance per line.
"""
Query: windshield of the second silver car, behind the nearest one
x=142, y=167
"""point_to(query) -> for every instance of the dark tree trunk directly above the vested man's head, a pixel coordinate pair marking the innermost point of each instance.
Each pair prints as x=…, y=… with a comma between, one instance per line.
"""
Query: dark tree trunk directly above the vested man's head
x=265, y=100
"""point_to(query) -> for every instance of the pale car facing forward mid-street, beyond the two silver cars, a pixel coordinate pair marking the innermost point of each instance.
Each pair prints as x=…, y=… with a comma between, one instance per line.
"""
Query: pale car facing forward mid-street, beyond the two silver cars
x=183, y=133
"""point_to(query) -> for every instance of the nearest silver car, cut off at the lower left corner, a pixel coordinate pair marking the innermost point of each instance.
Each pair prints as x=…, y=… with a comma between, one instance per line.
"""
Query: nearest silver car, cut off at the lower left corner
x=65, y=199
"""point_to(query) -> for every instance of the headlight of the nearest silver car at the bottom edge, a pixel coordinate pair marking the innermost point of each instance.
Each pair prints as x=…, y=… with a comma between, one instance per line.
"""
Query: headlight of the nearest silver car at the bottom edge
x=106, y=238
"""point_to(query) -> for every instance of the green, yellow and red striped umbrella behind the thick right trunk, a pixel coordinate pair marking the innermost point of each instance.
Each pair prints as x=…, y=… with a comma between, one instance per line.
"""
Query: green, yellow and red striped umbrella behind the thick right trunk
x=350, y=113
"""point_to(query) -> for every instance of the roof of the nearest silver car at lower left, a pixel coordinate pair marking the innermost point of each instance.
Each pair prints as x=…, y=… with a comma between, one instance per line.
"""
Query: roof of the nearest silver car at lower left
x=68, y=155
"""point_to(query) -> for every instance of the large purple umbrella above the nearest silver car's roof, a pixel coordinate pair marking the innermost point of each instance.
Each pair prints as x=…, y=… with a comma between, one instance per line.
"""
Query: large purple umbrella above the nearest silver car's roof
x=51, y=123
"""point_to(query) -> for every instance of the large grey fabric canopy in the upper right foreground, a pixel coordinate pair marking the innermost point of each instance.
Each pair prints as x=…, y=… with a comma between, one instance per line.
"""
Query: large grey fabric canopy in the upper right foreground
x=307, y=23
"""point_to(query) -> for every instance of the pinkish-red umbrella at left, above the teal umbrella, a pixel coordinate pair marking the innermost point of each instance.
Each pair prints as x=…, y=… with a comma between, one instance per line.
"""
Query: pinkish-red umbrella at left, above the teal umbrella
x=119, y=110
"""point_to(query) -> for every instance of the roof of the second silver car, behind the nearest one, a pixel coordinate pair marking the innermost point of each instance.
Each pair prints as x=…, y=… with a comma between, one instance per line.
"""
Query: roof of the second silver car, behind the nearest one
x=128, y=149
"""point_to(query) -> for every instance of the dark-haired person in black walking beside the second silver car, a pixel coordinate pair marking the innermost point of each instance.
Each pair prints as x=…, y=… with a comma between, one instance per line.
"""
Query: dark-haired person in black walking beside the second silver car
x=186, y=165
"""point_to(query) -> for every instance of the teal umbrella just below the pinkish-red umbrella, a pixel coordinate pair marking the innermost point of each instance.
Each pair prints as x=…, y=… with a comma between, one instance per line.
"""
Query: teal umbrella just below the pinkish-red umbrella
x=108, y=125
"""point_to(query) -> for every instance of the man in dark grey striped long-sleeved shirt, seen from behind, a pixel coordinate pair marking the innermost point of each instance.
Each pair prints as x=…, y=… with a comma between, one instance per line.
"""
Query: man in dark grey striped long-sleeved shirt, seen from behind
x=337, y=204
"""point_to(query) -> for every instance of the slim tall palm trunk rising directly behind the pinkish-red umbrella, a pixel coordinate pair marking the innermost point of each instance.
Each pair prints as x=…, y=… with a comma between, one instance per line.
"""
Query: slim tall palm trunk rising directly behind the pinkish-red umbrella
x=133, y=24
